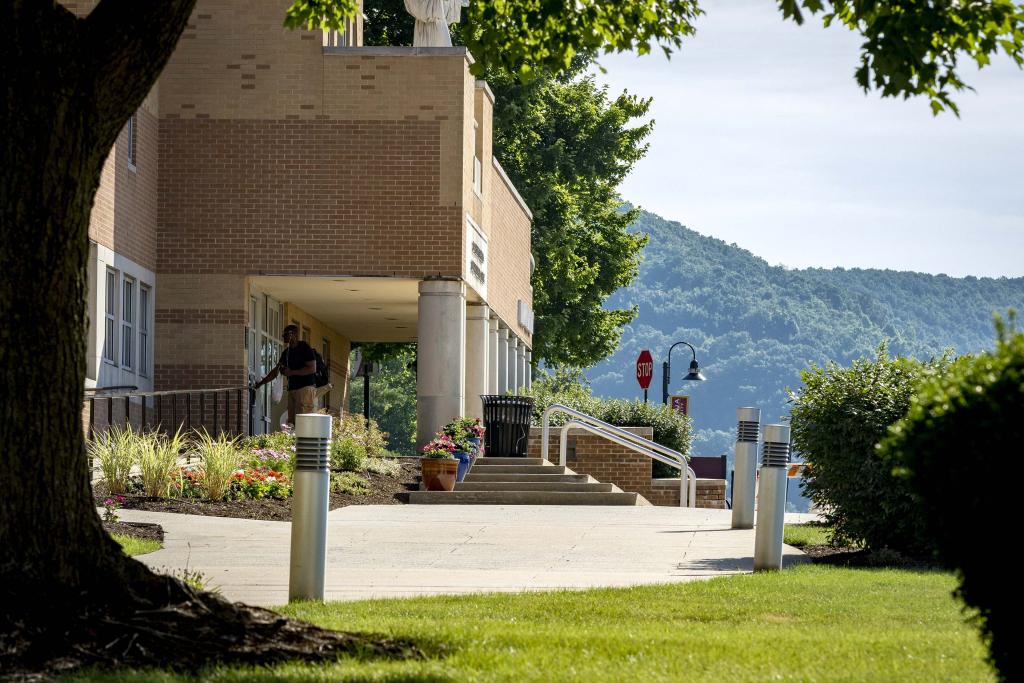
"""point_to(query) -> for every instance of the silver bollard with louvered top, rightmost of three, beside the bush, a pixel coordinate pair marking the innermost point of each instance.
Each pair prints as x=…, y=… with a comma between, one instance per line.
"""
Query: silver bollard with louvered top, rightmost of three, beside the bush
x=772, y=499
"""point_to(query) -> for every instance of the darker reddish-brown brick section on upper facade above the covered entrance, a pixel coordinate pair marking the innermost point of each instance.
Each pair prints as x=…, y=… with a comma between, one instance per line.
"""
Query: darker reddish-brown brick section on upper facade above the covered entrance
x=305, y=198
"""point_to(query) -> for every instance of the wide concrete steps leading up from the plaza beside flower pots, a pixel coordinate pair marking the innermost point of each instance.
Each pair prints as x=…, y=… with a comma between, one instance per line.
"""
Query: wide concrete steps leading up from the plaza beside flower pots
x=527, y=482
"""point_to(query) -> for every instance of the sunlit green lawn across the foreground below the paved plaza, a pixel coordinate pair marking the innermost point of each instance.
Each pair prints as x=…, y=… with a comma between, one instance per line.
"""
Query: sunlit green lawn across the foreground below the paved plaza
x=806, y=624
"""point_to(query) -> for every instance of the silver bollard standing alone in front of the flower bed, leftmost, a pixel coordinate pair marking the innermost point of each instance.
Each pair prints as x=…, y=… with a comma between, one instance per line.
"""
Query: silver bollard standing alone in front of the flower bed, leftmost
x=313, y=482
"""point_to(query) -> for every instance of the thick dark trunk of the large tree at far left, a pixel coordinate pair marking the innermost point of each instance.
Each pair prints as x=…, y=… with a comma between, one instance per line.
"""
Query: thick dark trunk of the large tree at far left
x=69, y=87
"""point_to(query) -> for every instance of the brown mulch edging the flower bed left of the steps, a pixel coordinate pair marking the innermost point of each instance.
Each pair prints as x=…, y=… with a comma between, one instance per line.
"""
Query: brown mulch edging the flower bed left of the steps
x=385, y=491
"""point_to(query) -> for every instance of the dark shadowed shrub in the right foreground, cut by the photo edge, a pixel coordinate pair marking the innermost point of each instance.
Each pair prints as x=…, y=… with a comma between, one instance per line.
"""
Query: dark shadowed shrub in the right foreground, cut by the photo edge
x=958, y=448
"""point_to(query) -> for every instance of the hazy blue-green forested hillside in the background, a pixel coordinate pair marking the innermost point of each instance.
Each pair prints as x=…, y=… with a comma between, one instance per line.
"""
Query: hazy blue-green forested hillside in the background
x=755, y=326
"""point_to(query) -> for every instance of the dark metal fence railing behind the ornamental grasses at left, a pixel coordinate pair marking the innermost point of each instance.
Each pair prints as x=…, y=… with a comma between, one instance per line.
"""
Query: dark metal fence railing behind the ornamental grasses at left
x=218, y=411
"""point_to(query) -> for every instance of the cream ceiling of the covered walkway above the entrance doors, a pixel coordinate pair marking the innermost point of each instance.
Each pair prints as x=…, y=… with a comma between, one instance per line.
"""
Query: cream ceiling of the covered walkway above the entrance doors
x=364, y=310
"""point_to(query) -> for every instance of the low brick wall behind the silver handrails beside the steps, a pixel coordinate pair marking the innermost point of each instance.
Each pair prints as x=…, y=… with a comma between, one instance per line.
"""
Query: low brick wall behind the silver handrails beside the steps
x=631, y=472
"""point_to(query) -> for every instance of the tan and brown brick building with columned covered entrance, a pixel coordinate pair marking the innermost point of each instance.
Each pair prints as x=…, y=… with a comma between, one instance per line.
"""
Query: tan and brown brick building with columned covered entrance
x=277, y=177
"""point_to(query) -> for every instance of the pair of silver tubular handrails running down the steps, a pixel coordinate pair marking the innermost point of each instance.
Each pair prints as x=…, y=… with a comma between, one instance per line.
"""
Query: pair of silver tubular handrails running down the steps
x=655, y=451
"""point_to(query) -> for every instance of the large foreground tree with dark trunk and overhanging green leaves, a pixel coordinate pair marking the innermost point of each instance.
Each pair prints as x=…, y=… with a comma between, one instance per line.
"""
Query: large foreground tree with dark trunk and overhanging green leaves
x=70, y=86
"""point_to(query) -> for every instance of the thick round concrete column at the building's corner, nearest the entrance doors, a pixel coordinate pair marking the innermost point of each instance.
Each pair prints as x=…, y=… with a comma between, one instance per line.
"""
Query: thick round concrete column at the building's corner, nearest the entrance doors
x=441, y=361
